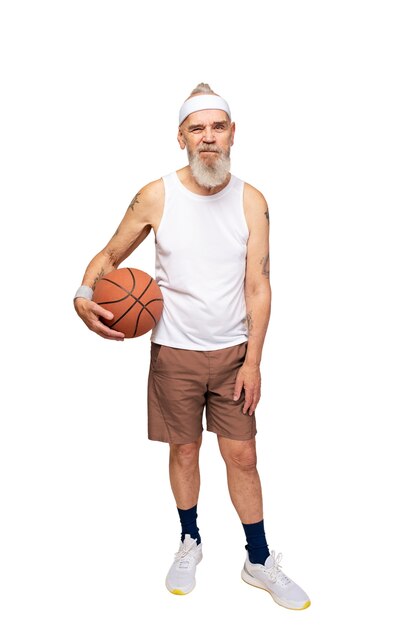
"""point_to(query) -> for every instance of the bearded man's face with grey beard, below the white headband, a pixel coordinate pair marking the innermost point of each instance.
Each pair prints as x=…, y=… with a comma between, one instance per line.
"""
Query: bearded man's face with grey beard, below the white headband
x=208, y=136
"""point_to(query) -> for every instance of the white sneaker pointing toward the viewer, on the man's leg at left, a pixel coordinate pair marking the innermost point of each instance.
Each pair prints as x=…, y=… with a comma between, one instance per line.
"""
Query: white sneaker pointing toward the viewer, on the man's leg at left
x=181, y=575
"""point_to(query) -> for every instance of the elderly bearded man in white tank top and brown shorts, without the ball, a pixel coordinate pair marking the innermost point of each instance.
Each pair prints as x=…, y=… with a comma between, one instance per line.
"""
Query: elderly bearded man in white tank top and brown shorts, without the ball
x=212, y=265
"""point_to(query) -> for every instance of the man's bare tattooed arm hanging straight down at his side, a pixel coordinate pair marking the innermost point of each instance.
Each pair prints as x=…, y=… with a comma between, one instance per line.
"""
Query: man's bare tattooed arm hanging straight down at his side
x=257, y=296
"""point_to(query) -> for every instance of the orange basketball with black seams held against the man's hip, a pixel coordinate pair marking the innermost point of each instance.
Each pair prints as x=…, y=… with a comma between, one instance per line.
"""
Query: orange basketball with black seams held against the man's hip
x=133, y=297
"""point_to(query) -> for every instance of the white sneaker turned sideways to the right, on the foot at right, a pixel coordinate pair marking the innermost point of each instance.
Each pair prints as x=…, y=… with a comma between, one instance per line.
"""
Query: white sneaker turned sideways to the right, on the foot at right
x=270, y=577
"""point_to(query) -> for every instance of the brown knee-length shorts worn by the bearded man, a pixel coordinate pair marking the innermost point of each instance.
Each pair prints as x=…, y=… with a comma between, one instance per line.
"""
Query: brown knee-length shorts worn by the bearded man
x=182, y=382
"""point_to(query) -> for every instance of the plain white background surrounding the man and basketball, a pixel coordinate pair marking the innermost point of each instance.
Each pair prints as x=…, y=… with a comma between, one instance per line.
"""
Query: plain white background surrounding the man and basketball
x=324, y=95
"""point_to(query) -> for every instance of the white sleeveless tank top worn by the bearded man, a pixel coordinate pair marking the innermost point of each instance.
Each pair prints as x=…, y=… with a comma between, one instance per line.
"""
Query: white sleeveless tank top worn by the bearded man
x=200, y=259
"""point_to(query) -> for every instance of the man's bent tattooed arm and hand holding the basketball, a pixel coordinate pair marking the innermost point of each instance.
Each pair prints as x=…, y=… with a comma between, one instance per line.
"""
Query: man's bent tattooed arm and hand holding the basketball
x=133, y=229
